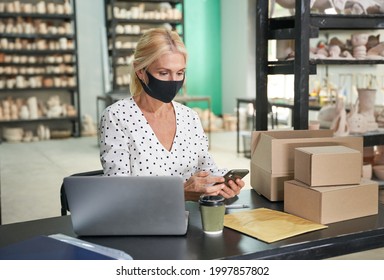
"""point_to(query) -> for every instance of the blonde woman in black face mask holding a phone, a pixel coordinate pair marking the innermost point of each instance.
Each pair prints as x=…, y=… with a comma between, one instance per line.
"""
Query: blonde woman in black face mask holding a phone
x=149, y=134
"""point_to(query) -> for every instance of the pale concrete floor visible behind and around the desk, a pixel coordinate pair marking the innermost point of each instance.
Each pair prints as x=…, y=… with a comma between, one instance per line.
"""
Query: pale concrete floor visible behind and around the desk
x=31, y=175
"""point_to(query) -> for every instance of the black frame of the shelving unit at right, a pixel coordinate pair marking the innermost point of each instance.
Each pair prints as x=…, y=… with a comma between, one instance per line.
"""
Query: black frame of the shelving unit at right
x=302, y=27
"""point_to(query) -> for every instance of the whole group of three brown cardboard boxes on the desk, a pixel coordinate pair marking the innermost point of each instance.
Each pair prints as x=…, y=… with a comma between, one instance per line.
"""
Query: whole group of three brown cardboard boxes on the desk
x=317, y=175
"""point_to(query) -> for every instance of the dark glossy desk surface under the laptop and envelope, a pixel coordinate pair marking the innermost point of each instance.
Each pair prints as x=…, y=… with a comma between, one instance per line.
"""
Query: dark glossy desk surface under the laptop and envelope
x=339, y=238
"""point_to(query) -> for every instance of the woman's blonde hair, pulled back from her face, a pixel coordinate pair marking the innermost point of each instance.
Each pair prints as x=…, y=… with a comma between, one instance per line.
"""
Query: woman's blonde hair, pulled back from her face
x=152, y=45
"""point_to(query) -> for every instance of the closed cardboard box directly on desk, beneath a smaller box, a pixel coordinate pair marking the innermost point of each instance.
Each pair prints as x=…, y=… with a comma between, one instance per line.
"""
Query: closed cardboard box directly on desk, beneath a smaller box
x=332, y=204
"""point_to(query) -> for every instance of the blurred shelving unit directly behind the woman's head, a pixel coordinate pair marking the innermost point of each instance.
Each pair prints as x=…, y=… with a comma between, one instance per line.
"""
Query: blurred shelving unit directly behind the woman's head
x=126, y=22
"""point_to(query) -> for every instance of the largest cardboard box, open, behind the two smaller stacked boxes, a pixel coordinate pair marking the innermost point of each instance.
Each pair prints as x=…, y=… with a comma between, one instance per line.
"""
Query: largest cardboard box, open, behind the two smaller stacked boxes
x=273, y=151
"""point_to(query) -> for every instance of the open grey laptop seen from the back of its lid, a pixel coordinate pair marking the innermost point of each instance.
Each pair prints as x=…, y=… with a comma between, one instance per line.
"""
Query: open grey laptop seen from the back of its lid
x=126, y=205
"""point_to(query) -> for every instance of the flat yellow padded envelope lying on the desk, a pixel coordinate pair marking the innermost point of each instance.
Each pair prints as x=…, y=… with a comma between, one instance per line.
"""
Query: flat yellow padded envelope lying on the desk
x=269, y=225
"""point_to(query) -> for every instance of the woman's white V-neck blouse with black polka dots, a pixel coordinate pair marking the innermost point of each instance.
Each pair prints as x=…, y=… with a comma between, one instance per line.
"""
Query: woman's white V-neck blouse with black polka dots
x=128, y=145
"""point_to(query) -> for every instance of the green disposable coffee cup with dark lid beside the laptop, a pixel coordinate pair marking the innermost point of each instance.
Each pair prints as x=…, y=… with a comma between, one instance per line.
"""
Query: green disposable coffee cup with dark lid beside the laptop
x=212, y=210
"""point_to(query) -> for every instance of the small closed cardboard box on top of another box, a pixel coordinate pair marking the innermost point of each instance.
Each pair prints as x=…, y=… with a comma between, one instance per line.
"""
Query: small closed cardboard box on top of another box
x=327, y=166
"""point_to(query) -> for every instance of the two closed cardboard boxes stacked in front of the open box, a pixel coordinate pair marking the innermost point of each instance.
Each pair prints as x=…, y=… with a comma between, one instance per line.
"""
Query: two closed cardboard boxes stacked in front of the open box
x=328, y=186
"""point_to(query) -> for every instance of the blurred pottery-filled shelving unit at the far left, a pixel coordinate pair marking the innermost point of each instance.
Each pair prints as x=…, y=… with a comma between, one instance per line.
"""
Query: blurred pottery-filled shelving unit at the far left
x=38, y=61
